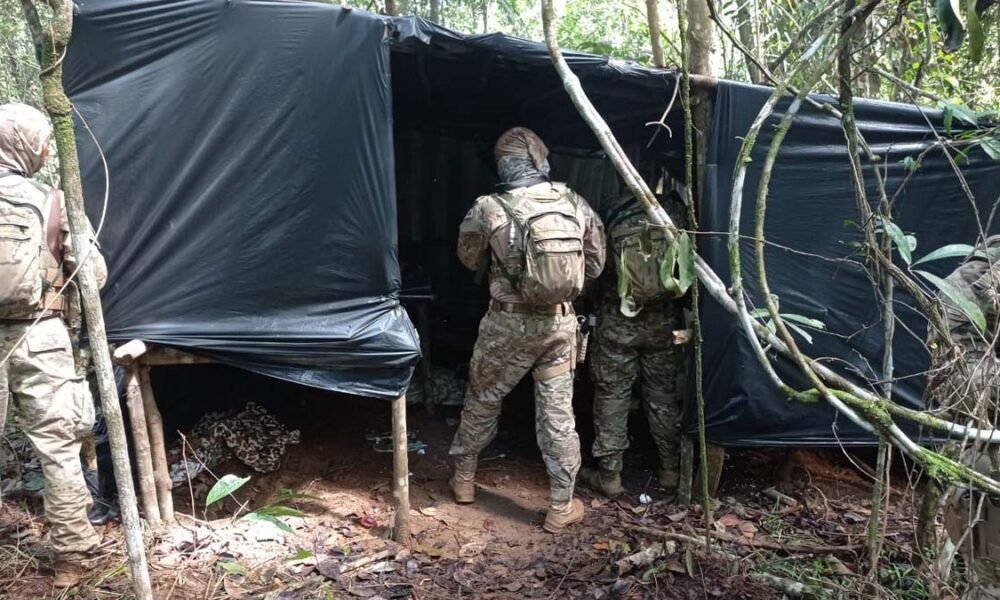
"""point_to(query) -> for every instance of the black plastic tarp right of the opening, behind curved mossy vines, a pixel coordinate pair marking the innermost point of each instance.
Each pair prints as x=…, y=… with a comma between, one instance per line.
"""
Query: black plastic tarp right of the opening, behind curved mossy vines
x=810, y=205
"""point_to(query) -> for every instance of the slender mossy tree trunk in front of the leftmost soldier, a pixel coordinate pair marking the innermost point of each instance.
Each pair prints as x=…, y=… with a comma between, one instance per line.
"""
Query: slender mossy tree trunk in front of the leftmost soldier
x=54, y=38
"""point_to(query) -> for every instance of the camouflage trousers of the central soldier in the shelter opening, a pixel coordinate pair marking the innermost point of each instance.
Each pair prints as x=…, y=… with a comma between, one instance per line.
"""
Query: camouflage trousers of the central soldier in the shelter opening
x=510, y=346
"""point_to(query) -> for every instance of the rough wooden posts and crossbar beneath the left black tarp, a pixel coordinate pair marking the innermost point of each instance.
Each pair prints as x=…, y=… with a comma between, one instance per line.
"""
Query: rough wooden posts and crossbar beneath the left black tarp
x=150, y=448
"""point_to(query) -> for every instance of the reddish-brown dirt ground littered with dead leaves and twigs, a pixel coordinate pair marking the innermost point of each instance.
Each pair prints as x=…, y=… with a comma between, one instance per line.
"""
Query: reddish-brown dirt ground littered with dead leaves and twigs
x=494, y=548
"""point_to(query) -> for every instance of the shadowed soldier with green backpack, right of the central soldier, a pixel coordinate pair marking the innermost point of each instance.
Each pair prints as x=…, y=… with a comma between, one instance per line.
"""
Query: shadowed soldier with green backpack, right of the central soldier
x=634, y=340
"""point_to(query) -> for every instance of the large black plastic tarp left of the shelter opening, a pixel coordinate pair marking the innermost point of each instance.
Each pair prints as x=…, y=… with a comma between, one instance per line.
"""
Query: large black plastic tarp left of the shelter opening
x=251, y=194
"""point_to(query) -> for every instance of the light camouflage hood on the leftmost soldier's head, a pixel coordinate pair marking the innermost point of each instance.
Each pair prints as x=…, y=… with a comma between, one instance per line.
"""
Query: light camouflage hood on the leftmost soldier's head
x=23, y=134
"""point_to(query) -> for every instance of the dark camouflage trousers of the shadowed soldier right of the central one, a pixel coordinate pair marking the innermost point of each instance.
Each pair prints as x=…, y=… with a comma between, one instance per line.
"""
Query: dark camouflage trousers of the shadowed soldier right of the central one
x=629, y=349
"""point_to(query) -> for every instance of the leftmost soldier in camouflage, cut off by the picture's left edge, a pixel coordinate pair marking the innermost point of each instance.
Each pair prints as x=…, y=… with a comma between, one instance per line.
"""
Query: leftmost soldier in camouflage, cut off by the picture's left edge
x=37, y=371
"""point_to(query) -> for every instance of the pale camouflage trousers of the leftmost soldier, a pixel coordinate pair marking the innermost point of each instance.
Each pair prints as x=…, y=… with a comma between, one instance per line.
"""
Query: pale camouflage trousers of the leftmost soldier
x=55, y=411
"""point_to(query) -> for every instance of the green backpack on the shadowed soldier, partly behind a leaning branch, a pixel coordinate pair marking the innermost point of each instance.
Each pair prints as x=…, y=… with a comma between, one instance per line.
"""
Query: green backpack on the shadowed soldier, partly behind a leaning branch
x=648, y=266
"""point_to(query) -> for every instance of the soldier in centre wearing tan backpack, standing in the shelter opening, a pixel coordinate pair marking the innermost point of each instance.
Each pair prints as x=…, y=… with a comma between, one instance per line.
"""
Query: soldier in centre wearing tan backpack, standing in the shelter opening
x=541, y=243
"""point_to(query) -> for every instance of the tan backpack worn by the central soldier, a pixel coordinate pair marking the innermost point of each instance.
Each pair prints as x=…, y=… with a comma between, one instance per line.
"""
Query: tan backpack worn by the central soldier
x=546, y=262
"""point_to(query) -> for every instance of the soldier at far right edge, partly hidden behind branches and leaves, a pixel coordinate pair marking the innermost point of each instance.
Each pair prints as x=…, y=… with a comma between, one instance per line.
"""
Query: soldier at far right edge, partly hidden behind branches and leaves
x=966, y=380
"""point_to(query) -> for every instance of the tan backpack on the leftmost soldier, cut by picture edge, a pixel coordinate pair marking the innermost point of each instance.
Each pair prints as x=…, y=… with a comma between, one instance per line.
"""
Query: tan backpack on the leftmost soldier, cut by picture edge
x=22, y=242
